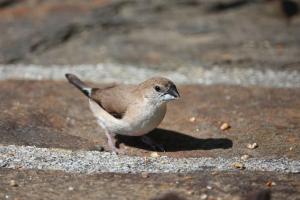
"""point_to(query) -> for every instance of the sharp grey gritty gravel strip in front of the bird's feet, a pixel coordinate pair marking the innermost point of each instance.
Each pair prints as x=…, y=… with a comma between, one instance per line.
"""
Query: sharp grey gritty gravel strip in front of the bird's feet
x=28, y=157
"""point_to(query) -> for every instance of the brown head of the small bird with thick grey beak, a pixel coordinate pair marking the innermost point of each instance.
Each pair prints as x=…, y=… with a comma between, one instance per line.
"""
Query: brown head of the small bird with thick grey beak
x=159, y=90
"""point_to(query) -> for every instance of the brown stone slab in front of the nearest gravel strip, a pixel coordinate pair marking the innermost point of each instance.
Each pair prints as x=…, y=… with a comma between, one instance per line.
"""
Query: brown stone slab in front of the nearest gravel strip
x=35, y=184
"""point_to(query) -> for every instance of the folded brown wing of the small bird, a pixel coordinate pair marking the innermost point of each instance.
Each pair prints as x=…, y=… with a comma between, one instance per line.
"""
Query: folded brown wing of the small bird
x=114, y=99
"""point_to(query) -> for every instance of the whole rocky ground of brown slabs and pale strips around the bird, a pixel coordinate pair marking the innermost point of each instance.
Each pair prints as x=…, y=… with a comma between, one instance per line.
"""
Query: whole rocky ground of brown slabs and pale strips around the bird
x=235, y=62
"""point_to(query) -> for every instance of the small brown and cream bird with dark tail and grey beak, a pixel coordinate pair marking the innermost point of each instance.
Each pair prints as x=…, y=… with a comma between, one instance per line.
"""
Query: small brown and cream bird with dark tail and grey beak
x=130, y=110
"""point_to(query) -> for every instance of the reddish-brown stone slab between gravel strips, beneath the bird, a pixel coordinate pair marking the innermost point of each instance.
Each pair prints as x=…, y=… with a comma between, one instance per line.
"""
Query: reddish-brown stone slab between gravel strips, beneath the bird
x=55, y=114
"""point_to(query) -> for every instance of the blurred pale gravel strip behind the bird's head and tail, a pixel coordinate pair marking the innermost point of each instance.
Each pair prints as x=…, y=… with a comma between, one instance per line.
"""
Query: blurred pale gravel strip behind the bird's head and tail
x=108, y=72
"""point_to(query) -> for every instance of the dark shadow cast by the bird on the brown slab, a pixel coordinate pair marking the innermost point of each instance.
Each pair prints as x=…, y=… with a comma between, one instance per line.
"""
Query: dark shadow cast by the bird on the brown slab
x=174, y=141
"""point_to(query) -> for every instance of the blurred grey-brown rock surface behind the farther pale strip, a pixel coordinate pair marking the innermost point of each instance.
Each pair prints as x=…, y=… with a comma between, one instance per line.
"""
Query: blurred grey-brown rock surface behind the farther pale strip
x=164, y=34
